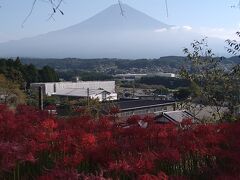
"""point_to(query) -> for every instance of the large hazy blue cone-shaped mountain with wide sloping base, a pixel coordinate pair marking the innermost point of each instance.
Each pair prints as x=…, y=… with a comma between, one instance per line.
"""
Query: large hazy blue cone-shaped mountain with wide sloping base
x=108, y=34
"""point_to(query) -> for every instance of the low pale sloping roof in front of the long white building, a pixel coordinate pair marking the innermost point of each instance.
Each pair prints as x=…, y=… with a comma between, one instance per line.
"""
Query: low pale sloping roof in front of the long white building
x=78, y=92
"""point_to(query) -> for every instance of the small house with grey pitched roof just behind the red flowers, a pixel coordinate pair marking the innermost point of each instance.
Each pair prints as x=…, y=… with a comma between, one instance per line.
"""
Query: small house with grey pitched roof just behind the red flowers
x=175, y=117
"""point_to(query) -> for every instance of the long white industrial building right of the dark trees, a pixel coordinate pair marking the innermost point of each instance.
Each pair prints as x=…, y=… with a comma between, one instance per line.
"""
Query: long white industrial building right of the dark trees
x=102, y=90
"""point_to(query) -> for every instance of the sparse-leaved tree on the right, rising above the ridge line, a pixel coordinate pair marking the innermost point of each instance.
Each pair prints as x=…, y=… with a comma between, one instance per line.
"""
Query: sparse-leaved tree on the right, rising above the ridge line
x=217, y=88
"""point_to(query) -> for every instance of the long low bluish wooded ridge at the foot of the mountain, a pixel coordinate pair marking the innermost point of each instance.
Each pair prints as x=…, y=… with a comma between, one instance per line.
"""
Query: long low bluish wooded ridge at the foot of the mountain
x=117, y=66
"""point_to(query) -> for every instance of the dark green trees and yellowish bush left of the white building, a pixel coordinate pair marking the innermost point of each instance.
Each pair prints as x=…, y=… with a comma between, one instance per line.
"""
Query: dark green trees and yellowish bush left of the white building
x=15, y=79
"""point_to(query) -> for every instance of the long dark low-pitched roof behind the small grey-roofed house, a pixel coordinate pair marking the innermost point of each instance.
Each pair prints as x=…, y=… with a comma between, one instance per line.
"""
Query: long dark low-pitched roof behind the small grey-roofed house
x=125, y=105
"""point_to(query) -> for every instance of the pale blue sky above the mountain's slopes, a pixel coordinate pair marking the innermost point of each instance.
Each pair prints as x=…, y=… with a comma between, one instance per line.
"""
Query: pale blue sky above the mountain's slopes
x=210, y=17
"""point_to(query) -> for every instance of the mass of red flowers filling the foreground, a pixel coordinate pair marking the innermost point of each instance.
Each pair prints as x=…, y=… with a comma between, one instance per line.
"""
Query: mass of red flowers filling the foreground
x=34, y=145
